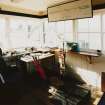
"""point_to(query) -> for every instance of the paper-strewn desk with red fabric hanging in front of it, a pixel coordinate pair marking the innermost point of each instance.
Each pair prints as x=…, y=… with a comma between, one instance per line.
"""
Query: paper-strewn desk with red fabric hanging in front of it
x=47, y=59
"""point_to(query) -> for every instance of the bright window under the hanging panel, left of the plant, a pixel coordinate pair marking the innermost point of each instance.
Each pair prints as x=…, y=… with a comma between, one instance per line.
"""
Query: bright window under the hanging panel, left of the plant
x=57, y=32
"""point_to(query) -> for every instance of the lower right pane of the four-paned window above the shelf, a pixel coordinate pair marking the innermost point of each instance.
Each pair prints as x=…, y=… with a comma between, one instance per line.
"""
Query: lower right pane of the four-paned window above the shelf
x=95, y=41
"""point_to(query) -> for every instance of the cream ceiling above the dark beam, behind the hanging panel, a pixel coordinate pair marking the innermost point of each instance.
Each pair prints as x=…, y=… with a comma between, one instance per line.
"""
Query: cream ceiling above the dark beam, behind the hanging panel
x=34, y=7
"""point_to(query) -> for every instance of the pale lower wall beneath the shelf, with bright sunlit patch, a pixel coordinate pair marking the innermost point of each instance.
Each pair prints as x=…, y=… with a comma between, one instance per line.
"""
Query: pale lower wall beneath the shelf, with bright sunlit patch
x=91, y=73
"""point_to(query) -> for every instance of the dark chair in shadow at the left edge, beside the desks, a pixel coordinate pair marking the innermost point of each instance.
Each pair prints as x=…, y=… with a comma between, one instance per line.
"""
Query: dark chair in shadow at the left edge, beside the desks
x=10, y=83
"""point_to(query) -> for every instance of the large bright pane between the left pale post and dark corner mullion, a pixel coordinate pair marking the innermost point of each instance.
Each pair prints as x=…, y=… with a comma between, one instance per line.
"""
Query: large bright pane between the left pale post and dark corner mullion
x=25, y=33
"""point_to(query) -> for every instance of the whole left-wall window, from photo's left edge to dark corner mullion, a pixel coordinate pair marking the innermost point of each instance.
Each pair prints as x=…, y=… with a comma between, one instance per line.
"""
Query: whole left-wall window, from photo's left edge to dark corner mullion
x=17, y=32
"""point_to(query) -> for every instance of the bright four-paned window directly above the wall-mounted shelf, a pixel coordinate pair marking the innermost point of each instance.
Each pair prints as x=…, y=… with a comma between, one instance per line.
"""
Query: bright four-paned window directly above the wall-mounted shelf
x=89, y=32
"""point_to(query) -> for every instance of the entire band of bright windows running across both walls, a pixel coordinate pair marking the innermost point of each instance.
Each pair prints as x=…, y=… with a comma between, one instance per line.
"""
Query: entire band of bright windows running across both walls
x=26, y=32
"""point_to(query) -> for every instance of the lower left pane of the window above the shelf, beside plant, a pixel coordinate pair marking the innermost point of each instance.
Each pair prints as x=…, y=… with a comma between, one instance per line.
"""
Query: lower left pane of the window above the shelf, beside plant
x=83, y=40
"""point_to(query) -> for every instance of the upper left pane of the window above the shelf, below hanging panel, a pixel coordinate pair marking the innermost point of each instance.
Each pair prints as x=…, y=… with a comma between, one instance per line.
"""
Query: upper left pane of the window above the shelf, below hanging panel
x=82, y=25
